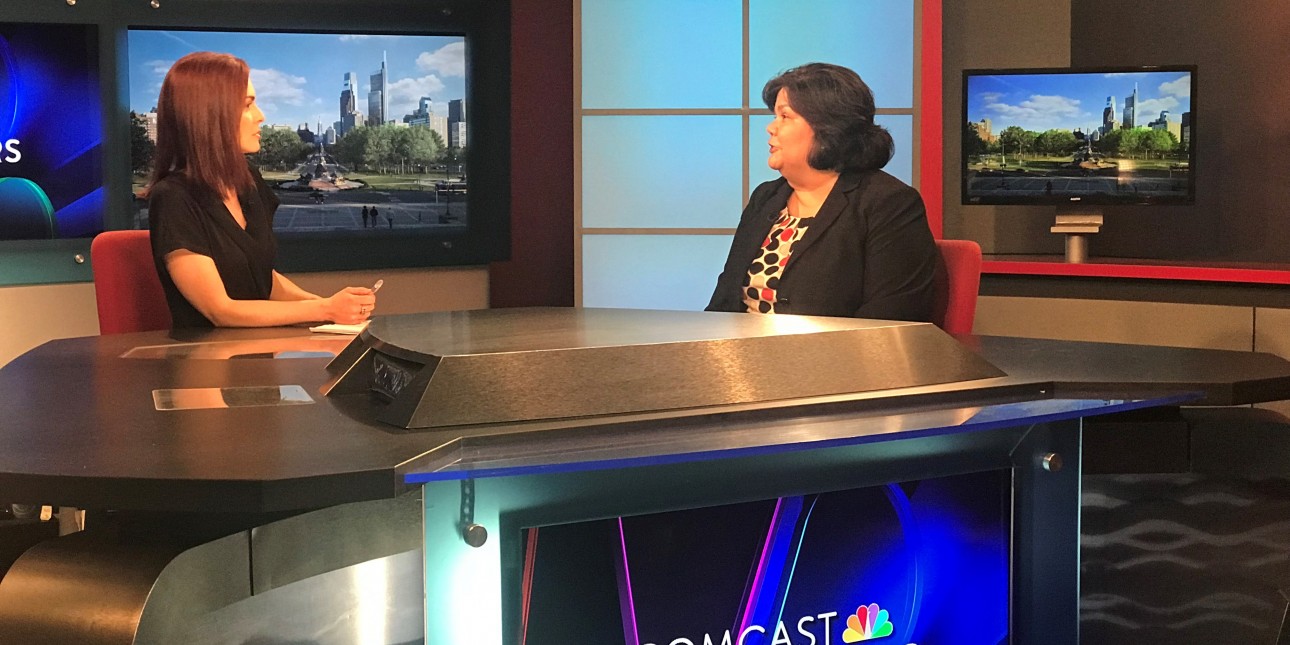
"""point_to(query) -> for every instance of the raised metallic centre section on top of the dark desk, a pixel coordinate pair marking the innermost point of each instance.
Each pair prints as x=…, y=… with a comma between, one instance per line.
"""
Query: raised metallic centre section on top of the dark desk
x=513, y=366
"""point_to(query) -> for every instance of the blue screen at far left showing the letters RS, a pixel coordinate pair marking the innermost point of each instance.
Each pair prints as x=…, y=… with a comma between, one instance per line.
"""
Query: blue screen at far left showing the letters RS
x=51, y=132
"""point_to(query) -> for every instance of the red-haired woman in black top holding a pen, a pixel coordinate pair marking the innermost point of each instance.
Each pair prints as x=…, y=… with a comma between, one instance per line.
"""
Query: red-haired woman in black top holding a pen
x=212, y=215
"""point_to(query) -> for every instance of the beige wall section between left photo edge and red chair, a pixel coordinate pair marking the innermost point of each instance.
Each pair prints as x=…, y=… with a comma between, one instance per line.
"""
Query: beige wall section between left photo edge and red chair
x=33, y=315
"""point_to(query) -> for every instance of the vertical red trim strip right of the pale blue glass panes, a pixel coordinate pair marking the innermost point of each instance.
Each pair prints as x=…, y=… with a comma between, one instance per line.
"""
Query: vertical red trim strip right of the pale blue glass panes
x=932, y=140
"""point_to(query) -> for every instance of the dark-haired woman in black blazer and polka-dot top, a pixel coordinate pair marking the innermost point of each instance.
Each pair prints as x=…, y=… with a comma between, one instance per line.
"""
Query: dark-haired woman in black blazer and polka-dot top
x=834, y=235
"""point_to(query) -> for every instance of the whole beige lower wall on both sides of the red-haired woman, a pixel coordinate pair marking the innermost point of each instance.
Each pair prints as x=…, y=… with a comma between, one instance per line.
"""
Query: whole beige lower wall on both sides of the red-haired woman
x=33, y=315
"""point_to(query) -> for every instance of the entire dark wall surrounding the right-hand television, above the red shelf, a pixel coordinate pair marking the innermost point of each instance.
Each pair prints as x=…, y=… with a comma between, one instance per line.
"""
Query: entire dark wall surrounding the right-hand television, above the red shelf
x=1243, y=114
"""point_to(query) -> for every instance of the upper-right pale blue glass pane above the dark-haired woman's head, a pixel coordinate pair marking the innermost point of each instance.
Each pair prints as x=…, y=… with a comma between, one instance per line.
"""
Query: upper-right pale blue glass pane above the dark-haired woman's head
x=875, y=38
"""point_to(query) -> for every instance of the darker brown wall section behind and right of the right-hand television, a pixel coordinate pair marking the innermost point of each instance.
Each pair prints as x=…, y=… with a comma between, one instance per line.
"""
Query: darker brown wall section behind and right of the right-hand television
x=1243, y=122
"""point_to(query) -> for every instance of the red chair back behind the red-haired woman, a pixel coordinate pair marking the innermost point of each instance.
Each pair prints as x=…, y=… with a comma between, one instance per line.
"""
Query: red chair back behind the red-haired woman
x=127, y=287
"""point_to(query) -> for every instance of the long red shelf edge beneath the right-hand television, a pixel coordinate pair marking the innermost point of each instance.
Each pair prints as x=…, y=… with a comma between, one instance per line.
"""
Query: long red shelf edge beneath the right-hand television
x=1244, y=273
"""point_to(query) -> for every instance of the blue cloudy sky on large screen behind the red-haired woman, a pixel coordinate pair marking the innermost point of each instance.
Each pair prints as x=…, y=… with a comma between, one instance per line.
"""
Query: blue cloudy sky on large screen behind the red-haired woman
x=299, y=77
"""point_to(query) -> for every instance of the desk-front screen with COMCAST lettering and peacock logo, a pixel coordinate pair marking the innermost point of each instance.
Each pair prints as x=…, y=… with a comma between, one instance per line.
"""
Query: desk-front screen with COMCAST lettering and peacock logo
x=919, y=562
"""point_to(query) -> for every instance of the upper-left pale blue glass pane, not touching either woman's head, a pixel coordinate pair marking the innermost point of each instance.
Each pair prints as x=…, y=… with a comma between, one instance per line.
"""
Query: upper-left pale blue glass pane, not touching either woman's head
x=662, y=54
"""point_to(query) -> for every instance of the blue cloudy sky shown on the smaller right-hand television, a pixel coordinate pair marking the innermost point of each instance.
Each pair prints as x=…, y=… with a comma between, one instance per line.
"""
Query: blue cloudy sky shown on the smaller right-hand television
x=1067, y=101
